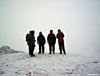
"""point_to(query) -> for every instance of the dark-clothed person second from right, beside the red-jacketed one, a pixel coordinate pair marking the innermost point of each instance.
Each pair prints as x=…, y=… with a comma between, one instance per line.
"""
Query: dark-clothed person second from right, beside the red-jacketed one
x=51, y=41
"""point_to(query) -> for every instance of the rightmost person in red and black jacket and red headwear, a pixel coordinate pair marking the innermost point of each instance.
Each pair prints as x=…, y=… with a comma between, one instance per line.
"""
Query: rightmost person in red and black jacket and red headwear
x=60, y=37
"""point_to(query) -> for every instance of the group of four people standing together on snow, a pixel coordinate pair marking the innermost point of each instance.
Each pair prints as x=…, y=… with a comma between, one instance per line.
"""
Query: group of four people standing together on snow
x=51, y=39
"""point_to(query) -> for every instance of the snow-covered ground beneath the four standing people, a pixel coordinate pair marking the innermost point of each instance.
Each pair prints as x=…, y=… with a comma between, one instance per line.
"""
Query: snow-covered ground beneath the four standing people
x=71, y=64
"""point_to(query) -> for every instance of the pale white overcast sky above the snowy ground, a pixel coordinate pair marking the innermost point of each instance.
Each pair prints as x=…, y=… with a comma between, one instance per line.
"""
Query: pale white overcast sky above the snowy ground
x=78, y=19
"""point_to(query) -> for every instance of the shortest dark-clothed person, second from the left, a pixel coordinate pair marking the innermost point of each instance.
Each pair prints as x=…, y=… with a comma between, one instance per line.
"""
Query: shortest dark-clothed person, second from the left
x=41, y=42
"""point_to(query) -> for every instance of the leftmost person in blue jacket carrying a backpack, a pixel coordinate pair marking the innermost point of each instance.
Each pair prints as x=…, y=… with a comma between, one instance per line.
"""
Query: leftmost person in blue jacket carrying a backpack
x=30, y=39
